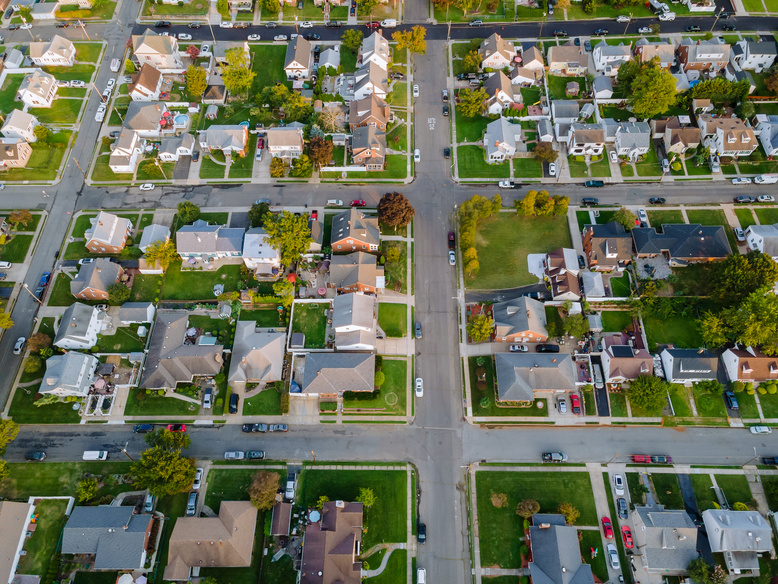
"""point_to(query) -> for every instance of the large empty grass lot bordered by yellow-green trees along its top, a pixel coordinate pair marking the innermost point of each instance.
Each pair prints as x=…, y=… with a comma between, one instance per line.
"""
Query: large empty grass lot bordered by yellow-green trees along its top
x=503, y=242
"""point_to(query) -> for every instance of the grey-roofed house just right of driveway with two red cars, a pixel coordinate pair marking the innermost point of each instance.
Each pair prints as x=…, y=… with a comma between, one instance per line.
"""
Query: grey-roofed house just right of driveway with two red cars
x=665, y=541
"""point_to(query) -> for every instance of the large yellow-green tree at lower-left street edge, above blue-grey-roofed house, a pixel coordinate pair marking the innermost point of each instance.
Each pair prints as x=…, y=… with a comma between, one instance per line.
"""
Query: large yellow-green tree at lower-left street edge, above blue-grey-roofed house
x=162, y=472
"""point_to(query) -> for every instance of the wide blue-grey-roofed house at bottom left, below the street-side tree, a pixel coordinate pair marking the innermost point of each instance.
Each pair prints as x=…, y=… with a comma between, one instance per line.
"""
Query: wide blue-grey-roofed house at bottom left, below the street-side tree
x=117, y=537
